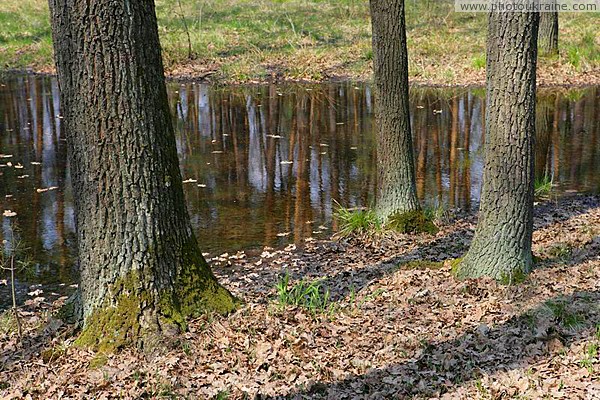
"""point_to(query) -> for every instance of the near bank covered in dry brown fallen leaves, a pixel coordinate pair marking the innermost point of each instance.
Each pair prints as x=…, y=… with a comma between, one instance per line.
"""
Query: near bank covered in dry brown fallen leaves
x=396, y=324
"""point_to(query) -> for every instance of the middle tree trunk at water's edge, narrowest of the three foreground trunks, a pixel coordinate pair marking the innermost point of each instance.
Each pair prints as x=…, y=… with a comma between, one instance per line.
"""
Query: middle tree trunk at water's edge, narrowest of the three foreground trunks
x=396, y=192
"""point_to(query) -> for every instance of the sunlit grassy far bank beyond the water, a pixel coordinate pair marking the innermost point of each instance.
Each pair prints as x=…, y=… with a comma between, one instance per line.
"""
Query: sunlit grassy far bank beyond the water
x=250, y=41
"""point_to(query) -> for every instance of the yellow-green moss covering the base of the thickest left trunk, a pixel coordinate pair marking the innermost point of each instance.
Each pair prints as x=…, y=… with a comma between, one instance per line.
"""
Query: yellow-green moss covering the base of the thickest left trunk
x=135, y=315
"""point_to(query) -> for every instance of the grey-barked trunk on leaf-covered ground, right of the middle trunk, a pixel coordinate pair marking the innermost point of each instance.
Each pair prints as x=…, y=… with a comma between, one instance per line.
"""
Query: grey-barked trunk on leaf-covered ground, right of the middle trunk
x=501, y=247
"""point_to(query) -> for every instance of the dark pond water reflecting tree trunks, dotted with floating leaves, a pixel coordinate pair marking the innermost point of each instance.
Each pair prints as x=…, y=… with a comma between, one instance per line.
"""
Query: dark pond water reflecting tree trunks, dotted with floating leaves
x=270, y=163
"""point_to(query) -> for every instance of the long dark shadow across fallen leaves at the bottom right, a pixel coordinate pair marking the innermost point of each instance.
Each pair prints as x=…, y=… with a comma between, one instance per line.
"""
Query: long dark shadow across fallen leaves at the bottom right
x=445, y=365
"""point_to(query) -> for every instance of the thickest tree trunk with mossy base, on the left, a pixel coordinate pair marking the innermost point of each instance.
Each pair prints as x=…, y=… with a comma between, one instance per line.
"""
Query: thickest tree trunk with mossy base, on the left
x=141, y=269
